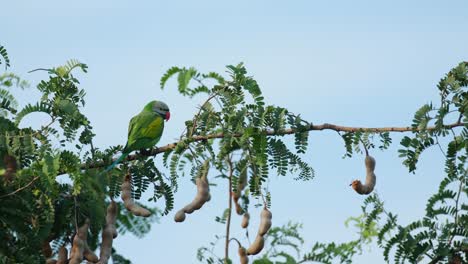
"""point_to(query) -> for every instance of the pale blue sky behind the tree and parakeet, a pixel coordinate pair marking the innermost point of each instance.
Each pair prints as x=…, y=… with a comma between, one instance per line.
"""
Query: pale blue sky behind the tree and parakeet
x=354, y=63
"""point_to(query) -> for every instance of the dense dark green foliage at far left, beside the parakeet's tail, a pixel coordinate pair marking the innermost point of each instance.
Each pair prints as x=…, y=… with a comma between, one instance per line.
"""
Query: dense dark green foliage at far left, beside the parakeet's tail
x=47, y=191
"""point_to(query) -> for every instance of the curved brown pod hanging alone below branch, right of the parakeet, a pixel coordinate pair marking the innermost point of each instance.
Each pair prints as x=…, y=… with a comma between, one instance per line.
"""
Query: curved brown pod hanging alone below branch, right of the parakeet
x=202, y=196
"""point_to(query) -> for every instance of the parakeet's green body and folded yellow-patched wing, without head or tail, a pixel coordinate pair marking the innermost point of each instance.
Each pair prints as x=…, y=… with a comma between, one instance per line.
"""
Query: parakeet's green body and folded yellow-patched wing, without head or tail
x=144, y=131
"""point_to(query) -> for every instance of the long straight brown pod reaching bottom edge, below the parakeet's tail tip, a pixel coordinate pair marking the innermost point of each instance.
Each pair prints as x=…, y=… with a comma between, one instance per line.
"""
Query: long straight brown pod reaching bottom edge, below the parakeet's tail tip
x=108, y=234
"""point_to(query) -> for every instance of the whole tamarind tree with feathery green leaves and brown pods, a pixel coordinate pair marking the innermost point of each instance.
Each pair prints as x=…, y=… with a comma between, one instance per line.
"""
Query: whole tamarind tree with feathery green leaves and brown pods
x=234, y=134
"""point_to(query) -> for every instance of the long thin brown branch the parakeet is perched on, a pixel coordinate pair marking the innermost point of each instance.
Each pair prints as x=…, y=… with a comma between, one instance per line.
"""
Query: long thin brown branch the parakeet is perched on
x=288, y=131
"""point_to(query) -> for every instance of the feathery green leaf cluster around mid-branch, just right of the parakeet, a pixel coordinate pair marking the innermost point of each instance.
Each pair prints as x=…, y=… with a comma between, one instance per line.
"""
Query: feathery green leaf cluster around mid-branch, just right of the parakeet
x=235, y=111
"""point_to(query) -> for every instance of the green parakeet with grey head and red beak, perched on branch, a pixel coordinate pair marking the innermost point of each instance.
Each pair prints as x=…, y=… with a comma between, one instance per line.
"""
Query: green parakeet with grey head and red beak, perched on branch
x=144, y=129
